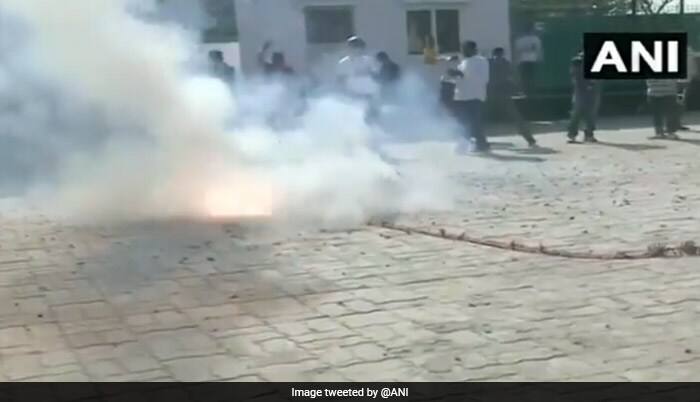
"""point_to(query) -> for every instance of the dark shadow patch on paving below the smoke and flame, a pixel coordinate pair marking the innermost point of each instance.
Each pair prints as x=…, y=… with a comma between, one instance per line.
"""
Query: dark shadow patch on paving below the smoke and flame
x=198, y=263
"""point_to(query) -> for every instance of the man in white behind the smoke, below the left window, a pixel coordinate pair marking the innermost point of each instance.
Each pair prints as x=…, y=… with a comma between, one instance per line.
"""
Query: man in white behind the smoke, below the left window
x=356, y=73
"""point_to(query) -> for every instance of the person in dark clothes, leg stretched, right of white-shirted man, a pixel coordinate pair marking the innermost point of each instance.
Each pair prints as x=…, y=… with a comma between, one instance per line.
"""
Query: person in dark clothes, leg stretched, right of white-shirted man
x=501, y=89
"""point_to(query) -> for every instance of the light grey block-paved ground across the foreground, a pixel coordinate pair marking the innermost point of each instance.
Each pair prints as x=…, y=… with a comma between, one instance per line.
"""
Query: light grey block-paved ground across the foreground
x=197, y=302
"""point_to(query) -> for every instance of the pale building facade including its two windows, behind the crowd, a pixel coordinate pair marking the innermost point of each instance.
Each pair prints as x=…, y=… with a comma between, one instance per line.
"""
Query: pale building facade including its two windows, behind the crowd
x=312, y=31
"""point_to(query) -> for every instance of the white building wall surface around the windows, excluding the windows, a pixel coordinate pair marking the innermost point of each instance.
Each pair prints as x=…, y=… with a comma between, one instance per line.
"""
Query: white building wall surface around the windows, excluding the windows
x=381, y=23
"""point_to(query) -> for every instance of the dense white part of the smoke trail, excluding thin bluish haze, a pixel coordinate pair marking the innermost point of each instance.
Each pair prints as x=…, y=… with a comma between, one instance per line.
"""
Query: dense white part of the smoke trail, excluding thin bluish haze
x=163, y=132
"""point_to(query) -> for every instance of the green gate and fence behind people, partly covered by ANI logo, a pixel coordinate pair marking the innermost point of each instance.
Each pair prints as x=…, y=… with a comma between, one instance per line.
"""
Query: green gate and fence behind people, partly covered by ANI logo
x=561, y=25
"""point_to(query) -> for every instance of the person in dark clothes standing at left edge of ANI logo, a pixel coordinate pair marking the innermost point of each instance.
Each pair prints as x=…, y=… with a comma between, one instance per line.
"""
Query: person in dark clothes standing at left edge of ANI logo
x=583, y=103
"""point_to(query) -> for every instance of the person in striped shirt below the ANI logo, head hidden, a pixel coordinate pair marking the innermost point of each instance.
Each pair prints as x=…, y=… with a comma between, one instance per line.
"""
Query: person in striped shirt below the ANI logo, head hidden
x=661, y=95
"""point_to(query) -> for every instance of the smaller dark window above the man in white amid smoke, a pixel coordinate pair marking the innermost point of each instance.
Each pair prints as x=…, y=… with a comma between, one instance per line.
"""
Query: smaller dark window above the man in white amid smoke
x=328, y=25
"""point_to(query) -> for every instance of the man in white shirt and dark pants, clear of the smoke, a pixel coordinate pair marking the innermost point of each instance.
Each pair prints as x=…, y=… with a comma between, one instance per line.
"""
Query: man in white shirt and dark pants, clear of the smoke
x=472, y=78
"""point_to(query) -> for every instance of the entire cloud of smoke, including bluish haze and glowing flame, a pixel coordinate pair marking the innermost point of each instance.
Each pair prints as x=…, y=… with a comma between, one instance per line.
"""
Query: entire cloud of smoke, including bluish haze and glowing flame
x=106, y=114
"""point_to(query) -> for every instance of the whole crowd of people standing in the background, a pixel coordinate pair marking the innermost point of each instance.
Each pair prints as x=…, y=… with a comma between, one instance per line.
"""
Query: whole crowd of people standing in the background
x=477, y=86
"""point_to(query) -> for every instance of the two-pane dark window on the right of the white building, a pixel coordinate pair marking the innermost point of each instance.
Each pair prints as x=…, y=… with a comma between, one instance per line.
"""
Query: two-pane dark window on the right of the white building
x=440, y=26
